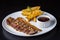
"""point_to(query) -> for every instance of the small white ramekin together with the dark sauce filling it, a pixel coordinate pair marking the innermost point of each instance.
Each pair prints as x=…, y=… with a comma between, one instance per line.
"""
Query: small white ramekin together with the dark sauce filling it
x=44, y=21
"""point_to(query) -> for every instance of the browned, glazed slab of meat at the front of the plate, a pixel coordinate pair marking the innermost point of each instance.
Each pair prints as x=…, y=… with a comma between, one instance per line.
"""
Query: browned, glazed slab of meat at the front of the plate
x=22, y=25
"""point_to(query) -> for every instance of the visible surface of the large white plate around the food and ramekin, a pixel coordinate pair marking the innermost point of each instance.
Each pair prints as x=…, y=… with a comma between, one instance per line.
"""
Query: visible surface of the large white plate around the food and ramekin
x=19, y=14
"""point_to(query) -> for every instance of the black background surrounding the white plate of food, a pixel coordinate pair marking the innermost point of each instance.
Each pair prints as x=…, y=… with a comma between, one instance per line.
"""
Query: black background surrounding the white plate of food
x=9, y=6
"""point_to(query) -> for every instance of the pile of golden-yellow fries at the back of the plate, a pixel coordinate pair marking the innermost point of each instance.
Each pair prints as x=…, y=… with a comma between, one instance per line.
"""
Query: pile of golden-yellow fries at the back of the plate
x=32, y=12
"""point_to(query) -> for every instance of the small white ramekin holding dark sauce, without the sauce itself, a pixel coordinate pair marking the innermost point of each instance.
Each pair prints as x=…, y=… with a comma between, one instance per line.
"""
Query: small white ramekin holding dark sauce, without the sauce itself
x=44, y=24
